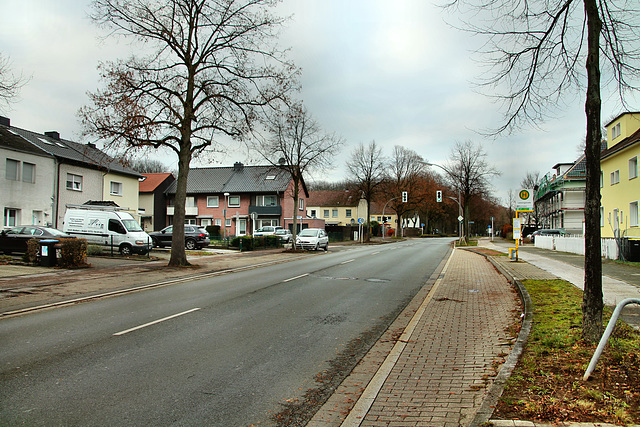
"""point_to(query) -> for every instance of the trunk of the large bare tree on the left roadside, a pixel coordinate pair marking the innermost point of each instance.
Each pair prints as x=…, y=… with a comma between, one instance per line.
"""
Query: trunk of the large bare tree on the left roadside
x=178, y=254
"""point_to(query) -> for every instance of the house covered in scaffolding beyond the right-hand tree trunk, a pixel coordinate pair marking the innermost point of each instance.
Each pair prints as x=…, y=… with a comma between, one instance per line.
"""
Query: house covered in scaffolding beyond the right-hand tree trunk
x=560, y=197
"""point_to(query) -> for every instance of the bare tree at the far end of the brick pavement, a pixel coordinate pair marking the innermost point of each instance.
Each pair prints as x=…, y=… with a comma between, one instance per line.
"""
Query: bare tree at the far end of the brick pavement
x=469, y=173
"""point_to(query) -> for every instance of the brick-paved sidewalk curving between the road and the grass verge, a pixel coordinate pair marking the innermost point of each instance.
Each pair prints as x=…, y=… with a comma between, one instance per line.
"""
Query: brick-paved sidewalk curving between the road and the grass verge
x=446, y=364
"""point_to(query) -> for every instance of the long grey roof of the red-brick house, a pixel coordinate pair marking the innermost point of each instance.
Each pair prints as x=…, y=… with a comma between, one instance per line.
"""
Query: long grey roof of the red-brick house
x=235, y=179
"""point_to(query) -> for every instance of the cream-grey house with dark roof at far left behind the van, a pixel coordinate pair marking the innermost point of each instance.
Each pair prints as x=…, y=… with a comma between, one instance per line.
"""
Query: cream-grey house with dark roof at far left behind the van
x=74, y=174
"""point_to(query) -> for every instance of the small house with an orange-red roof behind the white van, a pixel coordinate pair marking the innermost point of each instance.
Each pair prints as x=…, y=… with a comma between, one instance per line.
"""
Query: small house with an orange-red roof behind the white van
x=152, y=204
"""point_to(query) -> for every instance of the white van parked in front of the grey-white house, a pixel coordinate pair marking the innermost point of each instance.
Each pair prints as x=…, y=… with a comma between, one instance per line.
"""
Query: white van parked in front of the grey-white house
x=108, y=227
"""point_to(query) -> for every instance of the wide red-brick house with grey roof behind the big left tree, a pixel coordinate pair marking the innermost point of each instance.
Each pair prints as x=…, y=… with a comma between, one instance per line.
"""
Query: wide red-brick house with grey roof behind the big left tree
x=240, y=199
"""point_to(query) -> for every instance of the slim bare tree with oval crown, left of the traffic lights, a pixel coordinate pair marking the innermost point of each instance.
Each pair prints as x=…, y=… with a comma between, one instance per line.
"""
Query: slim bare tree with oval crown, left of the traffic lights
x=367, y=170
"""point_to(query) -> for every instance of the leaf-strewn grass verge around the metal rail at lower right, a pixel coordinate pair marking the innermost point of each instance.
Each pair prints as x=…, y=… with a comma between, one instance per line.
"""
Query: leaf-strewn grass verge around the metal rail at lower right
x=547, y=385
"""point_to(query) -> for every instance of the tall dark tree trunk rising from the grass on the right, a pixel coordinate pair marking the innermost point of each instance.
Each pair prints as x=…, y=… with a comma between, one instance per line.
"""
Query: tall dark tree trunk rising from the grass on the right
x=592, y=304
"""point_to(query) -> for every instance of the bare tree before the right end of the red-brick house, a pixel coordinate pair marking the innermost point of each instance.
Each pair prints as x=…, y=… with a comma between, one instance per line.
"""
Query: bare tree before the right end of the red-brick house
x=296, y=142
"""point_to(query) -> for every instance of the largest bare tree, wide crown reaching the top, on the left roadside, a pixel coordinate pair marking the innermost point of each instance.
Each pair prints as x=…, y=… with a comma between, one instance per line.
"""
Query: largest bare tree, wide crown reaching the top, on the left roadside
x=211, y=68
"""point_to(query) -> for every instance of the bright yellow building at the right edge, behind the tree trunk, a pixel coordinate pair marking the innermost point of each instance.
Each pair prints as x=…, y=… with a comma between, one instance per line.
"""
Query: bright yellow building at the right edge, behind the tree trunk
x=619, y=181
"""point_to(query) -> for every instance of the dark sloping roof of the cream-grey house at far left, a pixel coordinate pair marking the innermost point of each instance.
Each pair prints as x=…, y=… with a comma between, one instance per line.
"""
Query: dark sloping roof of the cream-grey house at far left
x=69, y=151
